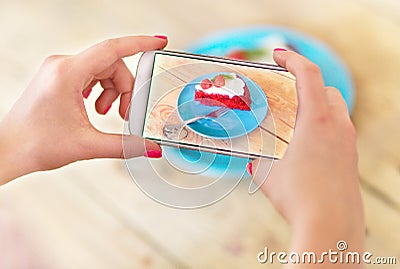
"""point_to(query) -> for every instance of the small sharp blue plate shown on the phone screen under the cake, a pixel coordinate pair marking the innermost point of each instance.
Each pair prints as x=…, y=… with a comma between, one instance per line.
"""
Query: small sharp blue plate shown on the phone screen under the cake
x=233, y=124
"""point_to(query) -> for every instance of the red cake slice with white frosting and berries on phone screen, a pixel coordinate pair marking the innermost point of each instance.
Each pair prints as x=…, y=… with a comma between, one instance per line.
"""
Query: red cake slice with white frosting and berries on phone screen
x=225, y=89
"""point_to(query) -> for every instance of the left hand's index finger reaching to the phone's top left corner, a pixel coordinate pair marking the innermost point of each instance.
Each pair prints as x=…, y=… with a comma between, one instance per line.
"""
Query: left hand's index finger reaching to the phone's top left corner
x=102, y=55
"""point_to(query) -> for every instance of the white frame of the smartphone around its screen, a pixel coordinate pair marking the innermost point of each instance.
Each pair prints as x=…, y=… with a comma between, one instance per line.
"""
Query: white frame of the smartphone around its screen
x=139, y=102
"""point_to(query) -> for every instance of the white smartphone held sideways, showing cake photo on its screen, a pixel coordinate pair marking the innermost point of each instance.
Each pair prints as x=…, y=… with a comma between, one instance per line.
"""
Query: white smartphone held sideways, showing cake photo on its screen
x=213, y=104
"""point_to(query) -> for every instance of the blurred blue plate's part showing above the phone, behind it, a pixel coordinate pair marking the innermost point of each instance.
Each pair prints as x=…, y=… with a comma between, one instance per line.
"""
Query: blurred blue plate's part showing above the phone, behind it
x=334, y=71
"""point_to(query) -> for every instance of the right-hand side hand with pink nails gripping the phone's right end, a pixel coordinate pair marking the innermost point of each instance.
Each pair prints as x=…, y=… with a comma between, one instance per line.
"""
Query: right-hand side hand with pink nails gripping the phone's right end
x=315, y=186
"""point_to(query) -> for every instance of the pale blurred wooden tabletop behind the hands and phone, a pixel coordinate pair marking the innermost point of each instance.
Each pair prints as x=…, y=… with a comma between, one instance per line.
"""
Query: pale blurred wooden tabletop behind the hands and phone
x=91, y=214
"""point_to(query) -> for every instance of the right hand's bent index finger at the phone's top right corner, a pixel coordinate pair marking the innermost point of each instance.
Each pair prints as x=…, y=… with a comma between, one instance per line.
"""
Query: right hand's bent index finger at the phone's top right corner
x=309, y=81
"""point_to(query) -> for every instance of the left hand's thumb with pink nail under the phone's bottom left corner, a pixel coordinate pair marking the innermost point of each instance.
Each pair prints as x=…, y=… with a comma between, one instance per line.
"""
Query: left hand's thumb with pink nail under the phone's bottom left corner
x=122, y=146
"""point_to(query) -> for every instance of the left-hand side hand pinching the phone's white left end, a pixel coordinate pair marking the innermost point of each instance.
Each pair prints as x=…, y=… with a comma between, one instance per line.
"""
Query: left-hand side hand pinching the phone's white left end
x=48, y=126
